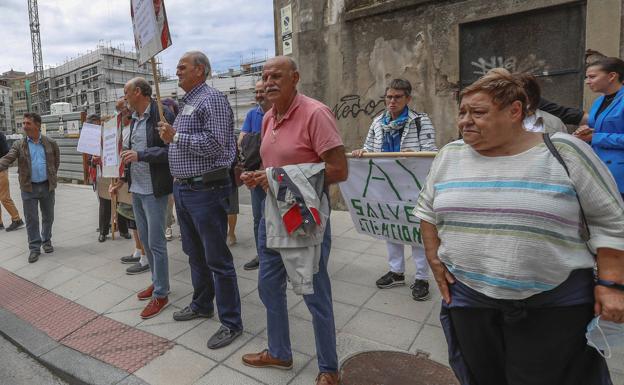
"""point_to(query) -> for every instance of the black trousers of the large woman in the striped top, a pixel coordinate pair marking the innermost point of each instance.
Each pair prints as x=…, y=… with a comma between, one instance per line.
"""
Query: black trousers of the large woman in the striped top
x=546, y=346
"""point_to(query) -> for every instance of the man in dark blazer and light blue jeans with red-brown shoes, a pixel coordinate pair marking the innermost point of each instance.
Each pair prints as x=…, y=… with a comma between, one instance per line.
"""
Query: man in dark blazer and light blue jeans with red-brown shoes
x=150, y=183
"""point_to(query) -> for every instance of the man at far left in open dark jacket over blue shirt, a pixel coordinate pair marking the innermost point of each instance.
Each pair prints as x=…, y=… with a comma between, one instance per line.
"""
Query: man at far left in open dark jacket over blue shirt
x=38, y=160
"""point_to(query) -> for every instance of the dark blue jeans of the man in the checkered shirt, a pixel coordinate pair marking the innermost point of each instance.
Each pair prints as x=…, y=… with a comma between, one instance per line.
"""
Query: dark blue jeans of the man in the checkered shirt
x=203, y=224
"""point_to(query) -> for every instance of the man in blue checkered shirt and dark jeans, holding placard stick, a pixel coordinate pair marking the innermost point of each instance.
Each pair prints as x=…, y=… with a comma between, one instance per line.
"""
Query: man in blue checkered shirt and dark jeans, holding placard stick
x=201, y=151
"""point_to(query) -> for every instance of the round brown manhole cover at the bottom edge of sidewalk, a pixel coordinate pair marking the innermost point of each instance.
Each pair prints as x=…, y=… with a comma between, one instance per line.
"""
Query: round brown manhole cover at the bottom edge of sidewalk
x=394, y=368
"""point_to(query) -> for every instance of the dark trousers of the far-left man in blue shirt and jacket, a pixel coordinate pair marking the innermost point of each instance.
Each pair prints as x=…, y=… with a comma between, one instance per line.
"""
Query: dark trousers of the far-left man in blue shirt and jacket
x=40, y=197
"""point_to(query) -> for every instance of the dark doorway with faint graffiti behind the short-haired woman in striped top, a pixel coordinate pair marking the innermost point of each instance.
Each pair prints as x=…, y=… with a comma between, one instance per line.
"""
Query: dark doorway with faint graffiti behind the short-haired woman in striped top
x=549, y=43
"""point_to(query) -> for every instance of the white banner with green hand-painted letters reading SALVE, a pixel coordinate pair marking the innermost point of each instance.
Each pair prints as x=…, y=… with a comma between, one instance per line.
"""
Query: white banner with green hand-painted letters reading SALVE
x=381, y=194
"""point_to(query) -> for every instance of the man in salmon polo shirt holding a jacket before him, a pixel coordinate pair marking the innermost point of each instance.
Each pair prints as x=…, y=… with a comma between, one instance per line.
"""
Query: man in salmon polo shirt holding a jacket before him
x=297, y=129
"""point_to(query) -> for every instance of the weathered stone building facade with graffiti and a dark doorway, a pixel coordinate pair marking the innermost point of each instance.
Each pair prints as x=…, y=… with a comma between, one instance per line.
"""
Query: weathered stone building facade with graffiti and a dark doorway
x=348, y=50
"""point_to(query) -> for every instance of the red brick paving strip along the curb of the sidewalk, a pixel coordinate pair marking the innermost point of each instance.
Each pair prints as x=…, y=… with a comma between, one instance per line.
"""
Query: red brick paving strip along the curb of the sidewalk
x=79, y=328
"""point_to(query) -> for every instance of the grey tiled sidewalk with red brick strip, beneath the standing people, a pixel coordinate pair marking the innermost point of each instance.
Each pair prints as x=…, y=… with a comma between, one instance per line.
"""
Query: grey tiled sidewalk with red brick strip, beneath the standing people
x=87, y=276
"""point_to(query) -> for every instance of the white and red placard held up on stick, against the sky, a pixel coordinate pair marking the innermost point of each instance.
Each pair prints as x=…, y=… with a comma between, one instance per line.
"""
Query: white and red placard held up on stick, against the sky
x=151, y=29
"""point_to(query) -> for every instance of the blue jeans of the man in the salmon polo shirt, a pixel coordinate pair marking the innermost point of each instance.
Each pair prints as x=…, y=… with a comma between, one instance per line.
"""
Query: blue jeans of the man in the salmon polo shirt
x=272, y=288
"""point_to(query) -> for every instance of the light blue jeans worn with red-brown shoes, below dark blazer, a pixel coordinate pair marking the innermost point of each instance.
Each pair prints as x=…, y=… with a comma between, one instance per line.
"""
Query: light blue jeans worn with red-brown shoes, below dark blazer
x=150, y=214
